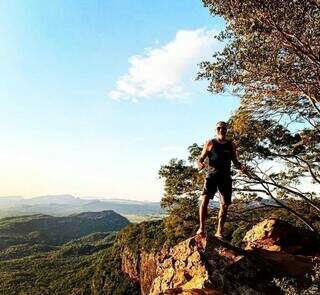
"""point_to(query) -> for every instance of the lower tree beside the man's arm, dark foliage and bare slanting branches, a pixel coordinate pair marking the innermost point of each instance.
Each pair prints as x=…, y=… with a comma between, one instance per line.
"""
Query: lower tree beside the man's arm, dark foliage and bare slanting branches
x=275, y=175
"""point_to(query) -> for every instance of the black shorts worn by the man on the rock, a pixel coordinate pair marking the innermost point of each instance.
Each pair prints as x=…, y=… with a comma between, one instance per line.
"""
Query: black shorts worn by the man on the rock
x=222, y=183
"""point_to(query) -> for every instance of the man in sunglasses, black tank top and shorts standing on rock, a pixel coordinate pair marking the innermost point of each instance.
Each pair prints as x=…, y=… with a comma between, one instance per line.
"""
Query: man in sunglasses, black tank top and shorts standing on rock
x=220, y=152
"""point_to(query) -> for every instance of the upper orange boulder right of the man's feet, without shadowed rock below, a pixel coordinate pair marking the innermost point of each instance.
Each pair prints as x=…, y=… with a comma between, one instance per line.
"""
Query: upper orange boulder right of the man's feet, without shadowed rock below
x=277, y=235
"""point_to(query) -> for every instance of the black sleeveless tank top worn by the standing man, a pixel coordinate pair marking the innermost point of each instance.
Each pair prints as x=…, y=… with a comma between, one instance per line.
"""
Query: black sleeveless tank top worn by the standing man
x=220, y=158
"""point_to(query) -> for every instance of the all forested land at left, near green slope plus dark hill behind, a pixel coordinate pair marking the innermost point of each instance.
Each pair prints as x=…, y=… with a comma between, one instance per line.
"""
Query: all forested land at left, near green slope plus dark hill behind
x=41, y=254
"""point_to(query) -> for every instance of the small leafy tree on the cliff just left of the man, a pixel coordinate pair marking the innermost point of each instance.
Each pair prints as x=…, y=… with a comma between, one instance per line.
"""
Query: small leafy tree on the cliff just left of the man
x=182, y=188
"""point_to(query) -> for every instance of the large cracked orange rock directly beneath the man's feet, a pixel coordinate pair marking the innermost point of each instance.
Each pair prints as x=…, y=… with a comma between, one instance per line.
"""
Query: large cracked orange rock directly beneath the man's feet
x=203, y=265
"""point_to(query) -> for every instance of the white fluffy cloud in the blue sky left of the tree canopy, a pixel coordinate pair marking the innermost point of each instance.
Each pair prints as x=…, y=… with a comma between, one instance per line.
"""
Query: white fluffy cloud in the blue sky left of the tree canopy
x=167, y=71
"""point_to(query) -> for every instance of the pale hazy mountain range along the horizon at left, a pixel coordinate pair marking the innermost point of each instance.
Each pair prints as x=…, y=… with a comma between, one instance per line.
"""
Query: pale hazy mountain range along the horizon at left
x=61, y=205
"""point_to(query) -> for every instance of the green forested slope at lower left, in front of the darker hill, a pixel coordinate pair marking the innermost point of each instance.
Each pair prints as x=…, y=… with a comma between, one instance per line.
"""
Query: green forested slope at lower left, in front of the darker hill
x=65, y=269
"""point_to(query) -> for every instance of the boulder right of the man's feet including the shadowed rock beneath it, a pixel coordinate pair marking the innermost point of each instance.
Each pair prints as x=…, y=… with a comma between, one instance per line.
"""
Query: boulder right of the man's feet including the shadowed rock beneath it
x=289, y=249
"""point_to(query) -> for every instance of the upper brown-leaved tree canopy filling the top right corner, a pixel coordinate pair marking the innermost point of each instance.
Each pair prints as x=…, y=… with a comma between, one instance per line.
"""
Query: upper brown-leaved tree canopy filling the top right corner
x=272, y=58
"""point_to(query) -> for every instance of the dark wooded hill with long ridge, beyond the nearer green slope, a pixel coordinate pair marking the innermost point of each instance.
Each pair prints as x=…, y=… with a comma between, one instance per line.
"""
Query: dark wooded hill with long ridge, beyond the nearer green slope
x=53, y=231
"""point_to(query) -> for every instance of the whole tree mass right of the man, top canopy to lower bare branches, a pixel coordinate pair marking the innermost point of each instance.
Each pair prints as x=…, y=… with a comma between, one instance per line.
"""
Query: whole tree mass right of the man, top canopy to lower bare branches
x=272, y=62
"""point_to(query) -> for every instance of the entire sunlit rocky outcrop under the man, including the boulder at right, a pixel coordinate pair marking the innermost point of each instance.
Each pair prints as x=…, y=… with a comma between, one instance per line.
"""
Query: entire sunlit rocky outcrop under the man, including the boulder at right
x=207, y=265
